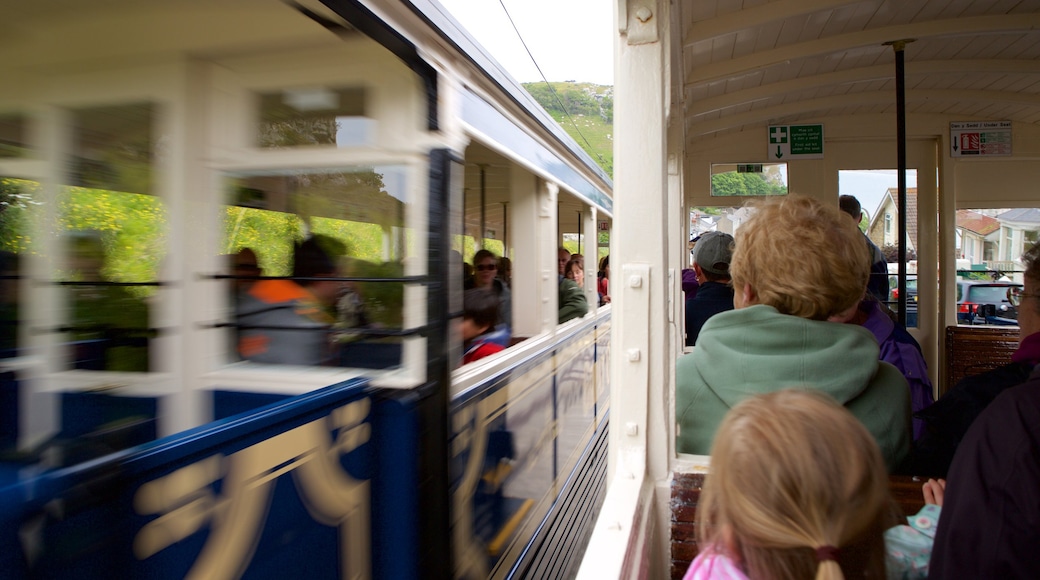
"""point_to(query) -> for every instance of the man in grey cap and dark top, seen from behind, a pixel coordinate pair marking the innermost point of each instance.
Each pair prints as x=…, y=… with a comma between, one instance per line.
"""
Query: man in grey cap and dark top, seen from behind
x=712, y=256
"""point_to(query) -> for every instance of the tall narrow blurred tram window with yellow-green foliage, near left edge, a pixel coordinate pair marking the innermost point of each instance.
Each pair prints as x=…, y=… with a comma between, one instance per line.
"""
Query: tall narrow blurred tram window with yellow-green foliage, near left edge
x=113, y=241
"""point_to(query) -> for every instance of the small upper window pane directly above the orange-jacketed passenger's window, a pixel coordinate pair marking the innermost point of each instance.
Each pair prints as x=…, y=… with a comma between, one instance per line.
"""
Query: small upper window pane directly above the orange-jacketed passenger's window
x=315, y=117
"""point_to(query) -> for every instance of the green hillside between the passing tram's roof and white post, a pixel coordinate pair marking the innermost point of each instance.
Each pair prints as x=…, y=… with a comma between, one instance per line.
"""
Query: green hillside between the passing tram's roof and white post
x=591, y=119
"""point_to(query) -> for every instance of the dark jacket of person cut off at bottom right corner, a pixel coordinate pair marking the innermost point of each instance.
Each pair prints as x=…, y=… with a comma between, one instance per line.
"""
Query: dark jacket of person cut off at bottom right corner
x=991, y=521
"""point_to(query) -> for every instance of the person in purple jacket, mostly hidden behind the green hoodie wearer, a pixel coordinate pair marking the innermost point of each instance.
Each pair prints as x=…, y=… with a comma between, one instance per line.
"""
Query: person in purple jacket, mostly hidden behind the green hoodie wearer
x=900, y=350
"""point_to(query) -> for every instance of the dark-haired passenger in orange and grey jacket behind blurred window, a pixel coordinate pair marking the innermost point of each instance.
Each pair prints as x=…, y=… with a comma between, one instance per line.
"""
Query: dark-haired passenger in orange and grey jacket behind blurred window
x=289, y=322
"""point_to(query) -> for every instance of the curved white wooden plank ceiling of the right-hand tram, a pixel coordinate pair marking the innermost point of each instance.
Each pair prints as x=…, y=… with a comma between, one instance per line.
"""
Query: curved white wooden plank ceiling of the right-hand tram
x=747, y=64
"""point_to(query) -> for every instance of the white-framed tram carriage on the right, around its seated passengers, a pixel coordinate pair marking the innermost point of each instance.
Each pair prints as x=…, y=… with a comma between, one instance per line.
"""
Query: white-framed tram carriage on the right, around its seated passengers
x=947, y=94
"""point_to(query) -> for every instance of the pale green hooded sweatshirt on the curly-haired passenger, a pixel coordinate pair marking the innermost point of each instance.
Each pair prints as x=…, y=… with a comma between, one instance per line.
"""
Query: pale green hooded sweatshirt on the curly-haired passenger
x=757, y=350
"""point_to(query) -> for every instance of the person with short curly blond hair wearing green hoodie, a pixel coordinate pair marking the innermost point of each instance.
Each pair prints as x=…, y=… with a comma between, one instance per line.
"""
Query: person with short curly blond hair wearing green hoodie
x=797, y=263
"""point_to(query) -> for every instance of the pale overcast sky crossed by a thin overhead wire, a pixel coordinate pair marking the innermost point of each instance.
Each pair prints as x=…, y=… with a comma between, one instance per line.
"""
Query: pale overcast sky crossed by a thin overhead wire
x=570, y=40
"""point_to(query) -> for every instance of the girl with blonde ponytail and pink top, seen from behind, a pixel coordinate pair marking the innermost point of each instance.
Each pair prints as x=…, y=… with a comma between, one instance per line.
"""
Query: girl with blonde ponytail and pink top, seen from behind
x=797, y=489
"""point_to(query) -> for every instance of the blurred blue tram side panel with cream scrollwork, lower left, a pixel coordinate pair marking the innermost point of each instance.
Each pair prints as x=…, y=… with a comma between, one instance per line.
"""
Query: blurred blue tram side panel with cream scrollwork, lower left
x=293, y=489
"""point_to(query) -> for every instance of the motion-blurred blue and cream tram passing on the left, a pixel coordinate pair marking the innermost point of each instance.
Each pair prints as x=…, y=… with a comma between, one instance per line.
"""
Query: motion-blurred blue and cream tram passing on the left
x=144, y=148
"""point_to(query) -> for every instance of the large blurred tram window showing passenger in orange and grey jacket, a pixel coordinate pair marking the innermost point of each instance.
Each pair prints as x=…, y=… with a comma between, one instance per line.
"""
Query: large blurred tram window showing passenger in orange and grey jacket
x=357, y=218
